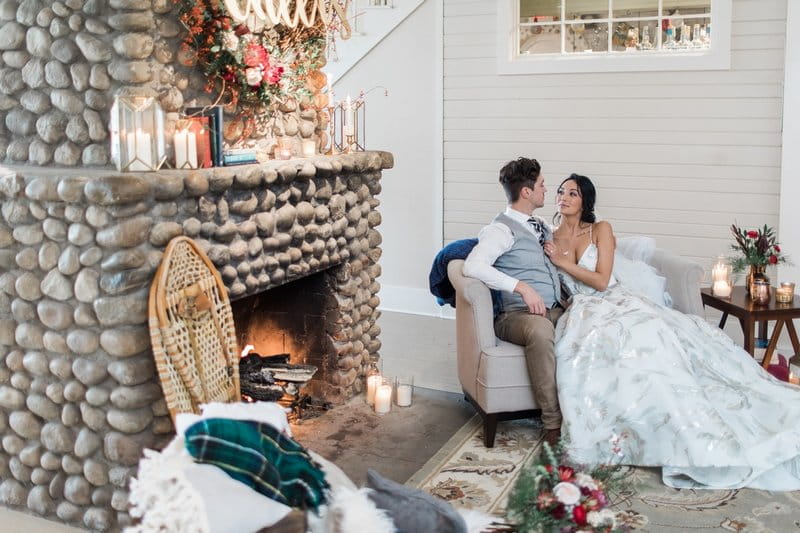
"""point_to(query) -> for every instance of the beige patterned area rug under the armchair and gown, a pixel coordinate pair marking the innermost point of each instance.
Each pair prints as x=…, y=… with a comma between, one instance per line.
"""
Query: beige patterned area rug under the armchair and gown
x=467, y=474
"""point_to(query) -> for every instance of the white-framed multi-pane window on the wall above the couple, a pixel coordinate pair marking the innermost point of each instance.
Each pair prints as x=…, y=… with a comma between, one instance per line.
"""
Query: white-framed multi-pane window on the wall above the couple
x=613, y=35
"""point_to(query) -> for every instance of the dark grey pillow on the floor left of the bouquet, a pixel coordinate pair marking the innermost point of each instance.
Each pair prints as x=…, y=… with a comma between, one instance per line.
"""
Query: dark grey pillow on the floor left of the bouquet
x=413, y=510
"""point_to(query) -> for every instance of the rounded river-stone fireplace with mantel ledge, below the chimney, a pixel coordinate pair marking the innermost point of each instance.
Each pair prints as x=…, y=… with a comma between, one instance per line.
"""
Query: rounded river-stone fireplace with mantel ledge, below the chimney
x=79, y=394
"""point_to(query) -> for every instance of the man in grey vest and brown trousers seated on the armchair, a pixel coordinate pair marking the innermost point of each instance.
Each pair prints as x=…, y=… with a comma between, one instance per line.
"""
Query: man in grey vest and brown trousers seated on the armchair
x=509, y=257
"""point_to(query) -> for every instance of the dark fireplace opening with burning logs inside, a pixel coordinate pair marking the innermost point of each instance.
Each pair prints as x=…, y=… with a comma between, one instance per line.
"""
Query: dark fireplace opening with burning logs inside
x=284, y=332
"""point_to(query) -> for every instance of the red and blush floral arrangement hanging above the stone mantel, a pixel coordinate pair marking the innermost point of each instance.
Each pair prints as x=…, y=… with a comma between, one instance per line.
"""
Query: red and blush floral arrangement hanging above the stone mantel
x=256, y=66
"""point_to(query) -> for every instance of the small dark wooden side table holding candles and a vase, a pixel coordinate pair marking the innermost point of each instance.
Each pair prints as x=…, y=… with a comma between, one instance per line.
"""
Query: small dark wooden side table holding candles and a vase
x=748, y=313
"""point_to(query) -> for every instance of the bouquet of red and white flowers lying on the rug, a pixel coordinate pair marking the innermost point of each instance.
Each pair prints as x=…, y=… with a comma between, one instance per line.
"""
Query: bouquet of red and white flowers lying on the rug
x=552, y=496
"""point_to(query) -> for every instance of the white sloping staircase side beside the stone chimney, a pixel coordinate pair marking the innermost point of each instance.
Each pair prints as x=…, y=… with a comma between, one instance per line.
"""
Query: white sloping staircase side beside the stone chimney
x=371, y=24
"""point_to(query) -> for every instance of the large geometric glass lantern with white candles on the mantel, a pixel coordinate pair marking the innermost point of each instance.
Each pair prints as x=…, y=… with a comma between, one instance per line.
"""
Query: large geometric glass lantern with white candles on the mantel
x=137, y=131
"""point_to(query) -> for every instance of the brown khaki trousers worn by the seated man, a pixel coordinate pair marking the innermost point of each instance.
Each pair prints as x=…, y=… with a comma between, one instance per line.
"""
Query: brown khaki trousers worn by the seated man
x=537, y=335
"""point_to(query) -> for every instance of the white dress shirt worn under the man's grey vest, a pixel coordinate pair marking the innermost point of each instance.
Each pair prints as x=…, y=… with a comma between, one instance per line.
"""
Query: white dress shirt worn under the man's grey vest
x=493, y=241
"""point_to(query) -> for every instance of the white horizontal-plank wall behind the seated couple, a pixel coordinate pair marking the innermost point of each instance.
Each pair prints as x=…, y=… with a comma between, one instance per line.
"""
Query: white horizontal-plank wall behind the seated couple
x=678, y=156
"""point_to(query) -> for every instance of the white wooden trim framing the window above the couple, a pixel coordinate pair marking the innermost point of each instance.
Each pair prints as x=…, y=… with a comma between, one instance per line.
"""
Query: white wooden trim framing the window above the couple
x=716, y=57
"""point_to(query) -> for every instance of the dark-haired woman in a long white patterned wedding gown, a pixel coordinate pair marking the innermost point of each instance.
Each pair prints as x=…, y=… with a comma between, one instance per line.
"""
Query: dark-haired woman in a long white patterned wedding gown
x=655, y=386
